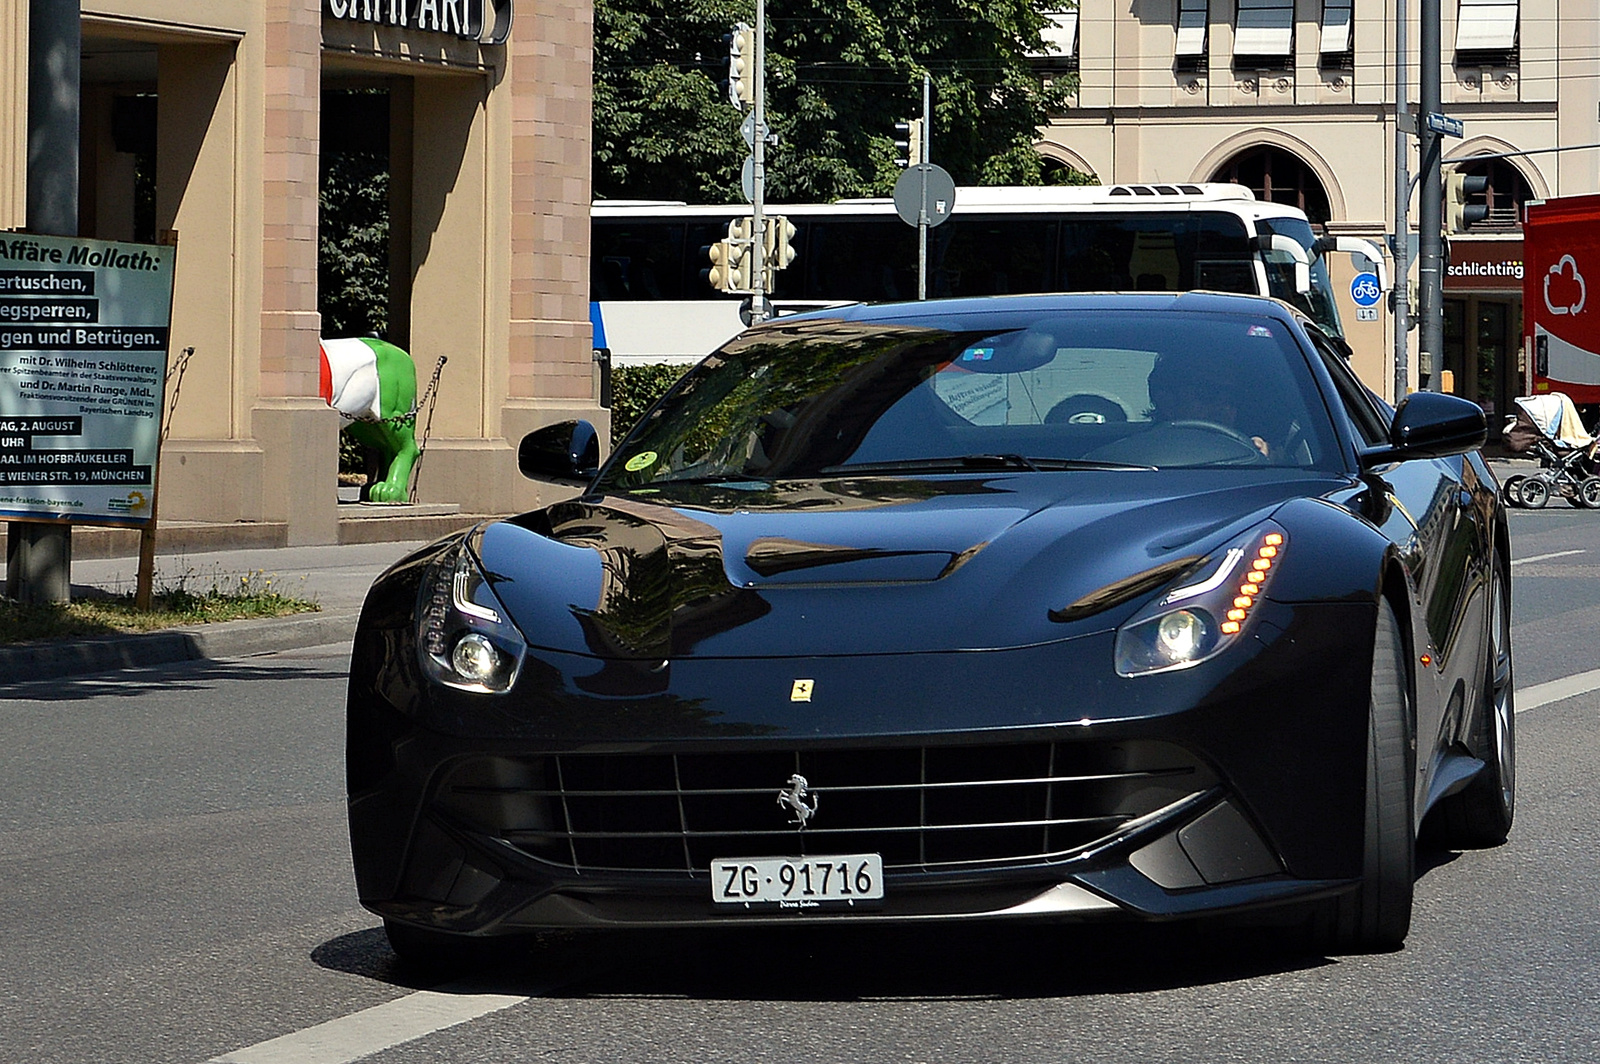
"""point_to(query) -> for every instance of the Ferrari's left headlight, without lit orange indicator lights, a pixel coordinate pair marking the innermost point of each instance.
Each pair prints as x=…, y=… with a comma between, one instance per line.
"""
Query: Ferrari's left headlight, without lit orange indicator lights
x=463, y=634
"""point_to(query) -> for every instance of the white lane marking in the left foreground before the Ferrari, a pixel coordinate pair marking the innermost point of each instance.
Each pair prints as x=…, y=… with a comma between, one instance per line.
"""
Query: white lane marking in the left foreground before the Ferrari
x=374, y=1030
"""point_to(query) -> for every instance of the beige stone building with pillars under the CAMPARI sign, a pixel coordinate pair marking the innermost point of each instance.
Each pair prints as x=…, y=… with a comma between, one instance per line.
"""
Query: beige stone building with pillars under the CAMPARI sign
x=489, y=226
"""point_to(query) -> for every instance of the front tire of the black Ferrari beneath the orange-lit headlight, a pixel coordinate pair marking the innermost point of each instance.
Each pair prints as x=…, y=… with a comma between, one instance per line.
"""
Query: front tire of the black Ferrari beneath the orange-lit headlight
x=1377, y=916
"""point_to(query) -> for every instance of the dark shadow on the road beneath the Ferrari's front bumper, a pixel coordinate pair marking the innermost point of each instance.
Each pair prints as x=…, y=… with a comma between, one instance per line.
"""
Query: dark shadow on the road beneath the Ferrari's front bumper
x=847, y=964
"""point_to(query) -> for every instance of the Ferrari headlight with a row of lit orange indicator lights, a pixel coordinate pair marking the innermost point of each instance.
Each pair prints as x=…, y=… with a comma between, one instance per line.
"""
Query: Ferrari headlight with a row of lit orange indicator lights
x=1207, y=610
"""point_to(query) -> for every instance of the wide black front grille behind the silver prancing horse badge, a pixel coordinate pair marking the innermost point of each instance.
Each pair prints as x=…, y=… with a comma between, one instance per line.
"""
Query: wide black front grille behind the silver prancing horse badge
x=922, y=809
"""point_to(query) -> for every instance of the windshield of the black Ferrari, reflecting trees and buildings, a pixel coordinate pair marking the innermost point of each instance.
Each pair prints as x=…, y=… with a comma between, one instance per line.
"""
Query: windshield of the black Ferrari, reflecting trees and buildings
x=1055, y=391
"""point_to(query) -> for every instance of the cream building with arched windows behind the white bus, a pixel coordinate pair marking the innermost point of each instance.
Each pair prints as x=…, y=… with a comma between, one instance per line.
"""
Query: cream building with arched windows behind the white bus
x=1297, y=100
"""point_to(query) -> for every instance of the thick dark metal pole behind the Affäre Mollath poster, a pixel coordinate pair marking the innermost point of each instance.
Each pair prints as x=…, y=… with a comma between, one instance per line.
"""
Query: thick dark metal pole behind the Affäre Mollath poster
x=39, y=556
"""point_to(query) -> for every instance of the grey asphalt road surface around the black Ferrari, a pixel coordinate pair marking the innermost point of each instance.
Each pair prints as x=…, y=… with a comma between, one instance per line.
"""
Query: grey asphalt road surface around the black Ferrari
x=177, y=889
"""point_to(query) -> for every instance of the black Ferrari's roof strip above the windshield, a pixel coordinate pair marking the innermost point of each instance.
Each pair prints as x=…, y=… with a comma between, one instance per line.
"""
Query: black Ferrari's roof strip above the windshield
x=1098, y=302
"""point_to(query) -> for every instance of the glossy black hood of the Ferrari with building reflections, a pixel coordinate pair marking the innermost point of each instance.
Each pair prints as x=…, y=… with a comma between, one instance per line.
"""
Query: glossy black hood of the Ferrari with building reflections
x=865, y=567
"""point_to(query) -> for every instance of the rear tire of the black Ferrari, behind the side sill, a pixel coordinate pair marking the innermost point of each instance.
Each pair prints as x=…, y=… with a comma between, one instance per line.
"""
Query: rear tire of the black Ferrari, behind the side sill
x=1481, y=815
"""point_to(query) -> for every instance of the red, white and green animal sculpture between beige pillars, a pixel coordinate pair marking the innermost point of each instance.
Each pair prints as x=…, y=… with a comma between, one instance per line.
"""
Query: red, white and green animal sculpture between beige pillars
x=374, y=388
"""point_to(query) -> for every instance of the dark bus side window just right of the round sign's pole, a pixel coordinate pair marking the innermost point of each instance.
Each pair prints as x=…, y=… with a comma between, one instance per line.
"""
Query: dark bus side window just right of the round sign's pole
x=991, y=257
